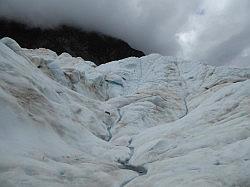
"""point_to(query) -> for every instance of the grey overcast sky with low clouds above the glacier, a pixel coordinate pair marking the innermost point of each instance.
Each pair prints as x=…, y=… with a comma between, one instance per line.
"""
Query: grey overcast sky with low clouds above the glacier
x=214, y=31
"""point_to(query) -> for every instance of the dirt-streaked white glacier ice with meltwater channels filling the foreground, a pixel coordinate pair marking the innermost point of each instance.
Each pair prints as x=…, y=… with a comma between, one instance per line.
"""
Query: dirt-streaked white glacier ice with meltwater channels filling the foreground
x=149, y=121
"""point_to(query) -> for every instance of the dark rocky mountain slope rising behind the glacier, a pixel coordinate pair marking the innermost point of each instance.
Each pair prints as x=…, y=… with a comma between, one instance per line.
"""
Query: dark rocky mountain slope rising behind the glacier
x=92, y=46
